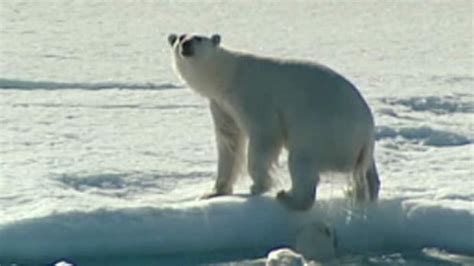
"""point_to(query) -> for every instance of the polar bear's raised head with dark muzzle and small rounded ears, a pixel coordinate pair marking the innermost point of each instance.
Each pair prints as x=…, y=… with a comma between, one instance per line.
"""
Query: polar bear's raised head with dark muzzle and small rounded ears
x=189, y=46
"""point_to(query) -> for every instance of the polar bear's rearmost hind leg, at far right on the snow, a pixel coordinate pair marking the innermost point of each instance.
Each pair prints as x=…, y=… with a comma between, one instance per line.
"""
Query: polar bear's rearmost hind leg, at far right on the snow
x=366, y=183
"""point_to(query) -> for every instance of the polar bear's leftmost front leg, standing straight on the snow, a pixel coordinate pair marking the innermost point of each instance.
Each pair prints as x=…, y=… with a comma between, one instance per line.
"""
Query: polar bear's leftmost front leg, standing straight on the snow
x=230, y=145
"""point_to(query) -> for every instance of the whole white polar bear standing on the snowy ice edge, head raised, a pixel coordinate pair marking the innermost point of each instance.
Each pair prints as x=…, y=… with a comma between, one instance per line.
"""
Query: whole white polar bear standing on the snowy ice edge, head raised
x=270, y=103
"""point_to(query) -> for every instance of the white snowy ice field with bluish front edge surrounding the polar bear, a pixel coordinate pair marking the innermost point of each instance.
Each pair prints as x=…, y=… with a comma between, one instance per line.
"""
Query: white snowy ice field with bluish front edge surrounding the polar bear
x=104, y=151
